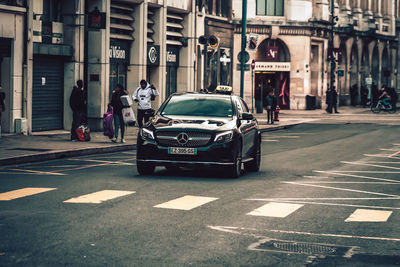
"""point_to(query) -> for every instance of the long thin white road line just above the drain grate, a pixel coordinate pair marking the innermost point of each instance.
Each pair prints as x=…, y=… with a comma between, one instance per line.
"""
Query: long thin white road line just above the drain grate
x=236, y=230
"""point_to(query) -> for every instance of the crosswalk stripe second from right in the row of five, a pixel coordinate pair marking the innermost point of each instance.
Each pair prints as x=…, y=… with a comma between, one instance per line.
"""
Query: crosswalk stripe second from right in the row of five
x=274, y=209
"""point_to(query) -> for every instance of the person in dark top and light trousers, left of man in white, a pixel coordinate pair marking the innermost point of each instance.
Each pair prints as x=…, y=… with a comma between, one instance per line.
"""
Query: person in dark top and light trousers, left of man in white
x=117, y=105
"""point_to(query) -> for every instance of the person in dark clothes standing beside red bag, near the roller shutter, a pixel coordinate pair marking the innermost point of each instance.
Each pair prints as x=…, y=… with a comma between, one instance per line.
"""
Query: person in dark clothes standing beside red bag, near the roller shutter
x=78, y=107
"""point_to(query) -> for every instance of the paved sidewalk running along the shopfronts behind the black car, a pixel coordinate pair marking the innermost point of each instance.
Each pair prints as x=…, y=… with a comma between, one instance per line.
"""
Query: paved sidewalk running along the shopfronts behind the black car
x=41, y=146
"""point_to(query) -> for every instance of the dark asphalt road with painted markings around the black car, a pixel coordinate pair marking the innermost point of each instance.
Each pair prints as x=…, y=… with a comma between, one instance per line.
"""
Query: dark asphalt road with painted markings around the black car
x=326, y=195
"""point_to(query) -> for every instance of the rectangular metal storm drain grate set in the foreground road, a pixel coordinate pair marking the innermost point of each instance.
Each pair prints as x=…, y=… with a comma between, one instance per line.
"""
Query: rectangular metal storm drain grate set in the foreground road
x=303, y=248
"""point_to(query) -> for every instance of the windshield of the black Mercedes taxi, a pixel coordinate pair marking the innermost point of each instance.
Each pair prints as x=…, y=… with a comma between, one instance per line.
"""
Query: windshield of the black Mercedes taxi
x=189, y=105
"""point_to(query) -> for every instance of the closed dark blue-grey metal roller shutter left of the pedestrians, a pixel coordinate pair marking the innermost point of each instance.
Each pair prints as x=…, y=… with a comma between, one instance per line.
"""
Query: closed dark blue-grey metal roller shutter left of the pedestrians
x=48, y=94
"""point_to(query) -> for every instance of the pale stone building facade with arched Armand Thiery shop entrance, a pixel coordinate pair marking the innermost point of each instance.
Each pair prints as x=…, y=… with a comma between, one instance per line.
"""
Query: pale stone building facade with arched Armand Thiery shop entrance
x=291, y=55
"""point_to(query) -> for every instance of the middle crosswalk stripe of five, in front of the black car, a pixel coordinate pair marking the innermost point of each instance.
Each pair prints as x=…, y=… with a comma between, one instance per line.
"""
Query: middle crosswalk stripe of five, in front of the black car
x=187, y=202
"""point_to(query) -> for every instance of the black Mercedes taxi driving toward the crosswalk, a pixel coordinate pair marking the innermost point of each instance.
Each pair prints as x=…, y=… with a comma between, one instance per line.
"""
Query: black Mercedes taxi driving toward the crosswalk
x=196, y=129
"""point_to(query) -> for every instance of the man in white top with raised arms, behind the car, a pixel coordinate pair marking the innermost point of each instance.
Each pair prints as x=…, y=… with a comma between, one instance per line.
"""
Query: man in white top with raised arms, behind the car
x=143, y=95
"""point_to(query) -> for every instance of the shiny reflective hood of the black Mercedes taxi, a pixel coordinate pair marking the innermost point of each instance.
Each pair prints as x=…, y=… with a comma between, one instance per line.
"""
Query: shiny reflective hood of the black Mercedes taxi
x=192, y=122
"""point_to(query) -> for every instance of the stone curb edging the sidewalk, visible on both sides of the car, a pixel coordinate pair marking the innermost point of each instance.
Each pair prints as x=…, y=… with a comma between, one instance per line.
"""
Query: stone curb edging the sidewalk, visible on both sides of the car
x=90, y=151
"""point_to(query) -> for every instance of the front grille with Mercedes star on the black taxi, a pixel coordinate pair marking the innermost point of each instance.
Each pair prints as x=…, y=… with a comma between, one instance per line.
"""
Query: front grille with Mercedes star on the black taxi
x=177, y=138
